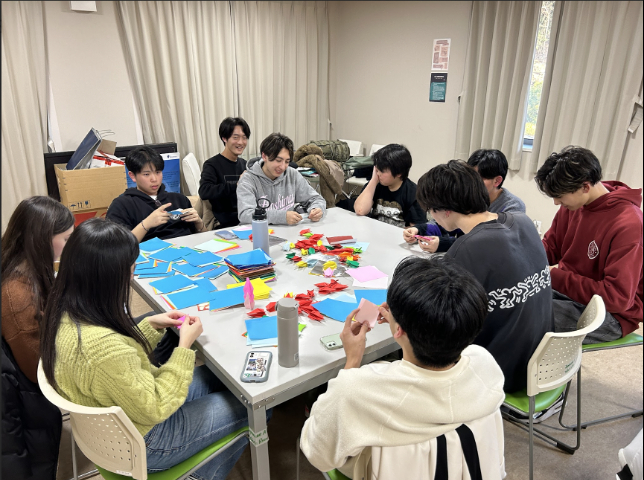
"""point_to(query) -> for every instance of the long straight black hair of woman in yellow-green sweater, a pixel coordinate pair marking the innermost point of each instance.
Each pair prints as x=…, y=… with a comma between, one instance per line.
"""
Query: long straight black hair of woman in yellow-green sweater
x=93, y=286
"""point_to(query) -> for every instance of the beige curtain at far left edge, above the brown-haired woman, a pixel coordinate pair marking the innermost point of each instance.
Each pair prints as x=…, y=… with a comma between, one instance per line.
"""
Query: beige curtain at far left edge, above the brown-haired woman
x=24, y=104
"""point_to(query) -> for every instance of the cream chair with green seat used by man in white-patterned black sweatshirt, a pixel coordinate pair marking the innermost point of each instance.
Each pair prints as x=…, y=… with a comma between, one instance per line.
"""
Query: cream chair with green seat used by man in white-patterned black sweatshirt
x=550, y=370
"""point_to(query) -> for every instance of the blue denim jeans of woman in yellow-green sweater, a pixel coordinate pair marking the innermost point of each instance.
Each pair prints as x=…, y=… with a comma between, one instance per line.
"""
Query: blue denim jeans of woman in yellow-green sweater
x=209, y=413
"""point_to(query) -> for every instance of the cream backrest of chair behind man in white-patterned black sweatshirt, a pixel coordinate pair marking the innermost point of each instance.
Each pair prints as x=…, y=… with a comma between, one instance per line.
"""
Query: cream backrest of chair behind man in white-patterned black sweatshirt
x=558, y=356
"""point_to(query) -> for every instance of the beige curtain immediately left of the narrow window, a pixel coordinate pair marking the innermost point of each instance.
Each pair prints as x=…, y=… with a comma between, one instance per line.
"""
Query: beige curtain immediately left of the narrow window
x=497, y=75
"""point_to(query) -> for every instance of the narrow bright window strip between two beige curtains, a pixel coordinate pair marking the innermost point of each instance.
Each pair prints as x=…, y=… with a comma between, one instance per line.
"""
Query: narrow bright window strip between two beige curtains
x=538, y=71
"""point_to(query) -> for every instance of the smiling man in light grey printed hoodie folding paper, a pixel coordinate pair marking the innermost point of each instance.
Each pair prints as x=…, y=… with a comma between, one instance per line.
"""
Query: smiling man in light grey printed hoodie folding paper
x=284, y=187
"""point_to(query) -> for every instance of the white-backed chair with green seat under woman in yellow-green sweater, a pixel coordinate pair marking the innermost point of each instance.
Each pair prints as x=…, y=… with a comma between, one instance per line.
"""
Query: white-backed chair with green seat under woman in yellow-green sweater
x=110, y=440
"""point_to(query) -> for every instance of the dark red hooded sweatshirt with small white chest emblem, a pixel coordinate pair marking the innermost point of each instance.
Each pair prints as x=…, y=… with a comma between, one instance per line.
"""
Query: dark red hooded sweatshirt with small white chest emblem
x=599, y=251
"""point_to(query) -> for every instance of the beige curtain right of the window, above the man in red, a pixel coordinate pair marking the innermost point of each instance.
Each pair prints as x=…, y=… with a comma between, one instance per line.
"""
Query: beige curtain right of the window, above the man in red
x=592, y=81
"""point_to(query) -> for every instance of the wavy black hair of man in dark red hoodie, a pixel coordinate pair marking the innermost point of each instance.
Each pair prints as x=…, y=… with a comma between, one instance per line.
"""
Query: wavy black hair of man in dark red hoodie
x=567, y=171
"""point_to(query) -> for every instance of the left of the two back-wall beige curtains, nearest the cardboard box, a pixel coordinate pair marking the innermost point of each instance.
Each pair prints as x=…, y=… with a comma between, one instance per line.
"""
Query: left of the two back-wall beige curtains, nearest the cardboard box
x=180, y=58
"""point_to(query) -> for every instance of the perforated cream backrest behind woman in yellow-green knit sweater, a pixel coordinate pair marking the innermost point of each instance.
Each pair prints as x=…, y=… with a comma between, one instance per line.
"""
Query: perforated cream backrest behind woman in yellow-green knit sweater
x=106, y=436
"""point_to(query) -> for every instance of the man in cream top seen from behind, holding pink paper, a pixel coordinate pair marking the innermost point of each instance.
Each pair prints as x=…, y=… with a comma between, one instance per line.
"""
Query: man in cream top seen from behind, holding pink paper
x=434, y=309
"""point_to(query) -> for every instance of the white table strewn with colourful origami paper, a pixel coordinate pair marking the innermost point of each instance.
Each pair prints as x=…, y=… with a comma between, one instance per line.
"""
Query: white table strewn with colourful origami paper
x=224, y=348
